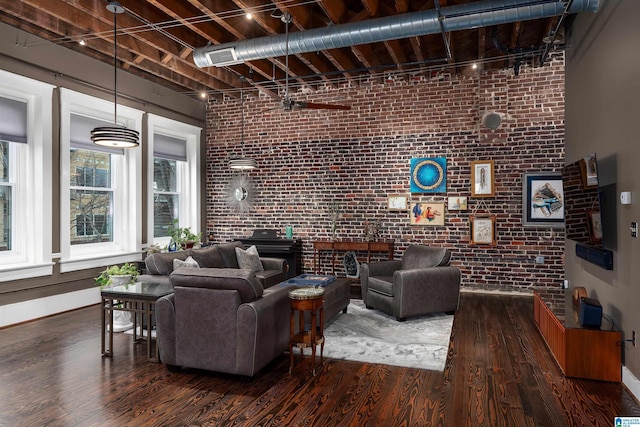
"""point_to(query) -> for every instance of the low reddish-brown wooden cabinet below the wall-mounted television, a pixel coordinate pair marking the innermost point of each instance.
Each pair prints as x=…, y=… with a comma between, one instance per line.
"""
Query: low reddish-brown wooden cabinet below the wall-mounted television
x=580, y=352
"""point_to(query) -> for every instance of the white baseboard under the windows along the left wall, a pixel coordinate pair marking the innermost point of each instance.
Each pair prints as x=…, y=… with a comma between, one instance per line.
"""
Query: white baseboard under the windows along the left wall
x=12, y=314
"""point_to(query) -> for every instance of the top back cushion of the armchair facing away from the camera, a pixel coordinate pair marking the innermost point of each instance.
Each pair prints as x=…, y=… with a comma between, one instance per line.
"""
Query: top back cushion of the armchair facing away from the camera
x=244, y=281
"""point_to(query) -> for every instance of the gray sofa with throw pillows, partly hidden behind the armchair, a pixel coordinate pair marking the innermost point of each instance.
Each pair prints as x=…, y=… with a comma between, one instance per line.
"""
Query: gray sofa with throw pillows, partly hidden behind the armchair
x=160, y=265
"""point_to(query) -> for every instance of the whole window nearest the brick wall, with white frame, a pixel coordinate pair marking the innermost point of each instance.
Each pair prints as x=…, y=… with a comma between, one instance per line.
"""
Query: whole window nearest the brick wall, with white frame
x=174, y=177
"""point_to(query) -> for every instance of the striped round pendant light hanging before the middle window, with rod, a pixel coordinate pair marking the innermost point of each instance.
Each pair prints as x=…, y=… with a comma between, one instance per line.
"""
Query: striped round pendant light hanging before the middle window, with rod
x=115, y=136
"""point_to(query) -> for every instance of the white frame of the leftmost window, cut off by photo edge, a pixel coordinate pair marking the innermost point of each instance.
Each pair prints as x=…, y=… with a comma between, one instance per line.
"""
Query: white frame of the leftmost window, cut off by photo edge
x=32, y=202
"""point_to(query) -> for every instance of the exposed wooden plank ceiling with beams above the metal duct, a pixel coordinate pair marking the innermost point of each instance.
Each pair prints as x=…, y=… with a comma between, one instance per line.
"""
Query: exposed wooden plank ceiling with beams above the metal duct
x=156, y=40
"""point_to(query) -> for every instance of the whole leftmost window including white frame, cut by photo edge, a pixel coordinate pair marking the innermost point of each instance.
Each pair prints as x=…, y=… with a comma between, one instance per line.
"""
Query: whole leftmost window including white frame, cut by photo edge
x=25, y=177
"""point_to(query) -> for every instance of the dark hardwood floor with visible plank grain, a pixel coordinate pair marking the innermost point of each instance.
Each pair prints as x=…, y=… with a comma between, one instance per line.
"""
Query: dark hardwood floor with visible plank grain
x=498, y=373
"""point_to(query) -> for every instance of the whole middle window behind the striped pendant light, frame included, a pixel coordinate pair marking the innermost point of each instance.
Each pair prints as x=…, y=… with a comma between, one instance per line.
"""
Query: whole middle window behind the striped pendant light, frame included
x=100, y=196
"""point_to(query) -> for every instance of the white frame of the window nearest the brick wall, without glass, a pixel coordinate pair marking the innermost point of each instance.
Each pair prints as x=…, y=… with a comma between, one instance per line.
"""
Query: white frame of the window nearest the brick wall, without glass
x=188, y=179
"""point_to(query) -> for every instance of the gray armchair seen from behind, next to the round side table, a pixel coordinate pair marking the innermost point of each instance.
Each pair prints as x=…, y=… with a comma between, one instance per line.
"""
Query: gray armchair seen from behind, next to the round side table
x=223, y=320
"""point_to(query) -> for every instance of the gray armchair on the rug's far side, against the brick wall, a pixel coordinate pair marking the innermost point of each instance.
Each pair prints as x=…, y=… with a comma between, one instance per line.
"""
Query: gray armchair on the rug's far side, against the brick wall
x=422, y=282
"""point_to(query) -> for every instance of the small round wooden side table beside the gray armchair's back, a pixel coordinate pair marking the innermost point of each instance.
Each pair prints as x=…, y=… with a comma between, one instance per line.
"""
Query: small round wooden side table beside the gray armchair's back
x=306, y=299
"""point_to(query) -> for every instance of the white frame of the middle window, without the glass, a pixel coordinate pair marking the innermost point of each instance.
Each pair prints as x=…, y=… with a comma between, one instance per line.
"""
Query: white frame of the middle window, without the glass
x=127, y=221
